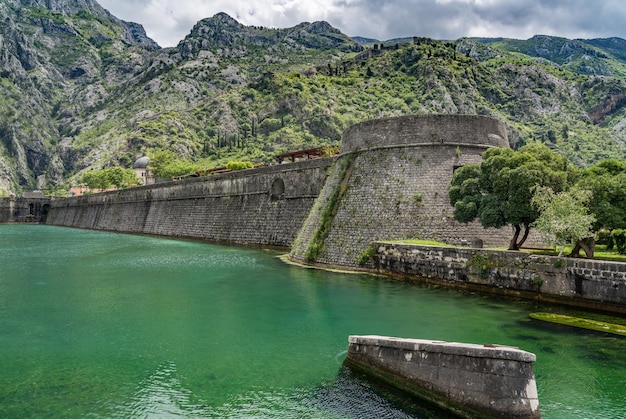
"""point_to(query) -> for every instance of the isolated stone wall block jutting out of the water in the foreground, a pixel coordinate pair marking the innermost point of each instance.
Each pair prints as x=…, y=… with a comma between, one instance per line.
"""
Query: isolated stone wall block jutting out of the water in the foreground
x=471, y=381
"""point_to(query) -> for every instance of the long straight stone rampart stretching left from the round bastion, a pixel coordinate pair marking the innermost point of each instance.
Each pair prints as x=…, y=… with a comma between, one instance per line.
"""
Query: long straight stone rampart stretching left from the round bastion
x=265, y=206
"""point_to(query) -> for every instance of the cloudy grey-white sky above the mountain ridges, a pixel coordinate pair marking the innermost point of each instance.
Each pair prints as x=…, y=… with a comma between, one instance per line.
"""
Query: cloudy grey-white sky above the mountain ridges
x=169, y=21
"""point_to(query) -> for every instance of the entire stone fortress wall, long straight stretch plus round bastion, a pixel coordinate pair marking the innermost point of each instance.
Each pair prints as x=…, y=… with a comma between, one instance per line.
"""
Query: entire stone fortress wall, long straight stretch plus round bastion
x=391, y=177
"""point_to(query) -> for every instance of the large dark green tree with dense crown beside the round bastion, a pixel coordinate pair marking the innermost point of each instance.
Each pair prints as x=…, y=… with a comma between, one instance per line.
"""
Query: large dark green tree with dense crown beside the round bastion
x=498, y=191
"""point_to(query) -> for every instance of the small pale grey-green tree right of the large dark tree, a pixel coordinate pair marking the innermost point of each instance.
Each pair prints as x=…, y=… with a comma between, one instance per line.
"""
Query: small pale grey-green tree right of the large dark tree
x=564, y=217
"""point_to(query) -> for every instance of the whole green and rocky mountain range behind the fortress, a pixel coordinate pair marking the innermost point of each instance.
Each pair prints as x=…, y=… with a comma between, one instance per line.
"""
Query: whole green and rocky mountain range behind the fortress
x=82, y=90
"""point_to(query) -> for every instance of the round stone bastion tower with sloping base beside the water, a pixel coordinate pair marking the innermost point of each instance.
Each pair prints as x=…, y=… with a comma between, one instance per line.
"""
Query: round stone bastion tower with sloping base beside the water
x=391, y=182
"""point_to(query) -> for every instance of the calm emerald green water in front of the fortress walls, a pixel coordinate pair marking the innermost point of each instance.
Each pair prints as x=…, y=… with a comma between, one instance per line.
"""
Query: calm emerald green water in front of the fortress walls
x=110, y=325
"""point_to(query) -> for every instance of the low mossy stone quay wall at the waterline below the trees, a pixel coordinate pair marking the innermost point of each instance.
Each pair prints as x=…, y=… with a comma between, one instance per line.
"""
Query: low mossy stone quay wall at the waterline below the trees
x=594, y=284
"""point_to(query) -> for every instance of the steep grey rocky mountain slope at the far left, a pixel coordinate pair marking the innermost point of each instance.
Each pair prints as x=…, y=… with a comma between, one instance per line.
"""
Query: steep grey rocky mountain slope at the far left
x=59, y=60
